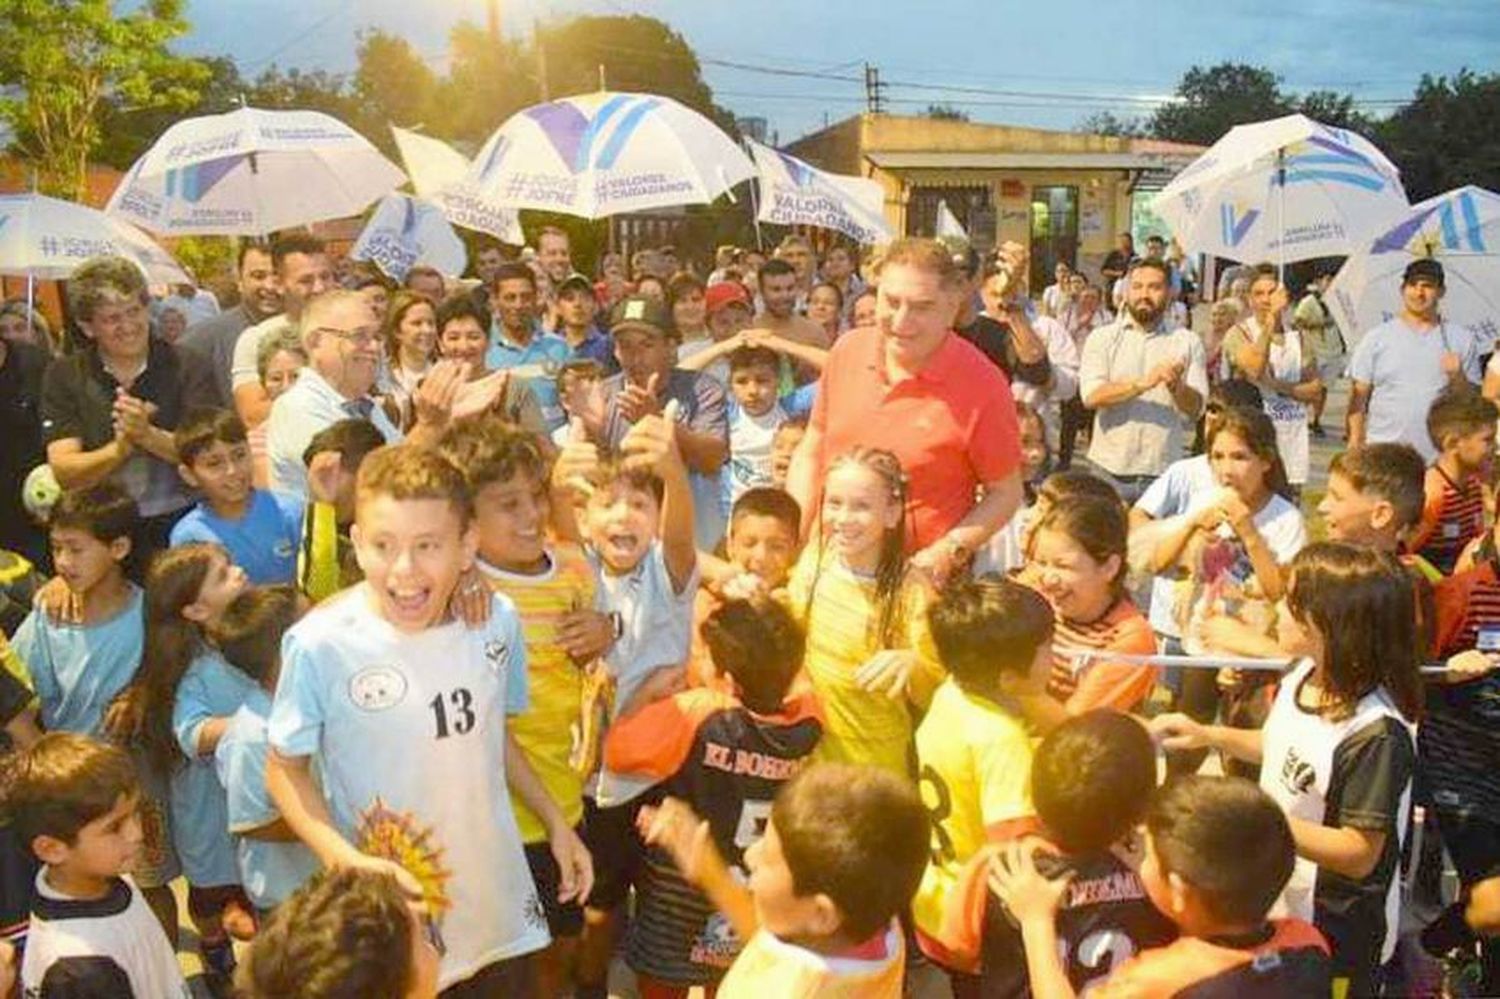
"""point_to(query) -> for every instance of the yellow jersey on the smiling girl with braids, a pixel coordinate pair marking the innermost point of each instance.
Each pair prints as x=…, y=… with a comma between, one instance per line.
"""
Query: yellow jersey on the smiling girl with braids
x=862, y=727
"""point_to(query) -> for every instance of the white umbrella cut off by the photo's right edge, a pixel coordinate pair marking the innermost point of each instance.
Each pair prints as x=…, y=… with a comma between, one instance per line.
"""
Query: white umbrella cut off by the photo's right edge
x=1460, y=230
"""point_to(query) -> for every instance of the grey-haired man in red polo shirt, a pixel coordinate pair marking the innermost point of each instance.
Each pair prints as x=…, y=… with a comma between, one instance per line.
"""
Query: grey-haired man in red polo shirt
x=916, y=388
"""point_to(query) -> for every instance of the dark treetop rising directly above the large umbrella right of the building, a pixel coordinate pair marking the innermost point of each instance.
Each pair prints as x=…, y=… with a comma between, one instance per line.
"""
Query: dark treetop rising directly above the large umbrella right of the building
x=1213, y=101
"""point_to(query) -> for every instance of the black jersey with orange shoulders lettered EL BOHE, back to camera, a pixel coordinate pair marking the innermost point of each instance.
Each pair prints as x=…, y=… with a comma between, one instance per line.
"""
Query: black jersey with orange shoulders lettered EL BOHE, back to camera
x=728, y=763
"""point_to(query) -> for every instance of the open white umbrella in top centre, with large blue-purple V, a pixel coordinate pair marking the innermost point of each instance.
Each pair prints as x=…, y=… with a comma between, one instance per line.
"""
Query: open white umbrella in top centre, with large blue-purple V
x=608, y=154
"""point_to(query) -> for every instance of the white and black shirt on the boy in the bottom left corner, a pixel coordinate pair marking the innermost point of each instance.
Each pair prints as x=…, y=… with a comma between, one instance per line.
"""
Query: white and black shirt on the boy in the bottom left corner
x=98, y=946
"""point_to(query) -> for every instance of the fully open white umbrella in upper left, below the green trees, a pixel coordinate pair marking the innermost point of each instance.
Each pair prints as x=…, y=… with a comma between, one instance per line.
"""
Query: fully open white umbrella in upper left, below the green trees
x=251, y=172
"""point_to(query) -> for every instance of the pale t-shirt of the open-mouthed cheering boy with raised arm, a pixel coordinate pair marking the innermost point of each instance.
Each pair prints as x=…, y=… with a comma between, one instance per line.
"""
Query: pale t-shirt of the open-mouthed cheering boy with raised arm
x=656, y=631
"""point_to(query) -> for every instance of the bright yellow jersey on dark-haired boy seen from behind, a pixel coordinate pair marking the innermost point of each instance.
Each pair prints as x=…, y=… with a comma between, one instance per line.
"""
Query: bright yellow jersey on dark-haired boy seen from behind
x=974, y=761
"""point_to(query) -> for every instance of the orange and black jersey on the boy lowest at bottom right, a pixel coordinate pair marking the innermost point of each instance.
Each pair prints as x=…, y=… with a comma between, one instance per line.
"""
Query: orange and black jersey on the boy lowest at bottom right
x=1286, y=959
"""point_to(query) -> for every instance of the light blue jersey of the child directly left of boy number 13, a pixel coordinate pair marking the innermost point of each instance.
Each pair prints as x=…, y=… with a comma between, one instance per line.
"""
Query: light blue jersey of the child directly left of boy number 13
x=269, y=871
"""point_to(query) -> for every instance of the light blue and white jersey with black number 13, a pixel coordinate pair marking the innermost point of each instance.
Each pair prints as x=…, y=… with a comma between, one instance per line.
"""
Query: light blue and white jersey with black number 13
x=409, y=731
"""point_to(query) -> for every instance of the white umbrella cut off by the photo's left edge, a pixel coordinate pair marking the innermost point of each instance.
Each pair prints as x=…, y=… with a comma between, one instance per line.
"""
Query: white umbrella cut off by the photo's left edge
x=47, y=239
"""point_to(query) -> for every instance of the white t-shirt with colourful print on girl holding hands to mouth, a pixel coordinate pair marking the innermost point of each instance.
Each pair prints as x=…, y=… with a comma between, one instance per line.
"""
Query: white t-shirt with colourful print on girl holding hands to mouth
x=1225, y=577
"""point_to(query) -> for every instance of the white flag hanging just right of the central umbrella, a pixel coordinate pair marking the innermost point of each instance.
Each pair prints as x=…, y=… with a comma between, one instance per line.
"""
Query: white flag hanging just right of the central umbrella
x=794, y=193
